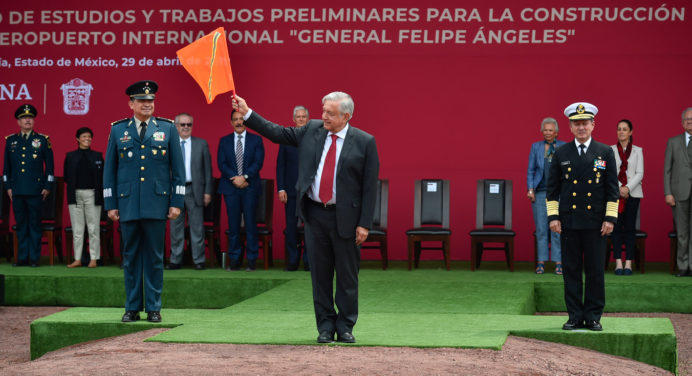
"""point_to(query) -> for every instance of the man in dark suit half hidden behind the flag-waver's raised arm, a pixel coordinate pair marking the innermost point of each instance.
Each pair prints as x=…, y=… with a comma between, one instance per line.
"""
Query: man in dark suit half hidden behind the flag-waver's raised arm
x=286, y=178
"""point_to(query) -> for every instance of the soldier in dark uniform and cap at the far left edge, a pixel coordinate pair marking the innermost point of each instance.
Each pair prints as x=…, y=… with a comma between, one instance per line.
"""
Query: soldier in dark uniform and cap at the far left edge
x=28, y=182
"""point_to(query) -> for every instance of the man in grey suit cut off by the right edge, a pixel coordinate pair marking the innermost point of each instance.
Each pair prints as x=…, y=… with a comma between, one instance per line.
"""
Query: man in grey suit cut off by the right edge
x=677, y=184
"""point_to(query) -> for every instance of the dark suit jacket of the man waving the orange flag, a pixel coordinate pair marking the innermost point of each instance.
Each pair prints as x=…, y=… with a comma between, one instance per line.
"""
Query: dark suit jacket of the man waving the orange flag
x=356, y=175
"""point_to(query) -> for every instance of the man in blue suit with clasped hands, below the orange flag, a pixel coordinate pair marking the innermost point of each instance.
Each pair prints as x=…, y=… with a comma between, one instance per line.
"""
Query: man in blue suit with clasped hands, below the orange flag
x=240, y=158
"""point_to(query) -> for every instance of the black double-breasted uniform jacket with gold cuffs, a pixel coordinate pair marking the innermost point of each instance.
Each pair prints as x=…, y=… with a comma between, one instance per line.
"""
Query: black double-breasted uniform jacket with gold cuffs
x=583, y=192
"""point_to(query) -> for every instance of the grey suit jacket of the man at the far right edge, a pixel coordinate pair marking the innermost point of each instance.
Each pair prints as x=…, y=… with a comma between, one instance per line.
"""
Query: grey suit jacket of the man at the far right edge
x=677, y=174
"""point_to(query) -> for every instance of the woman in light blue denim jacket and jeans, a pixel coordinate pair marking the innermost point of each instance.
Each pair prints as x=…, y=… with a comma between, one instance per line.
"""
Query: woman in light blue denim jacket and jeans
x=540, y=157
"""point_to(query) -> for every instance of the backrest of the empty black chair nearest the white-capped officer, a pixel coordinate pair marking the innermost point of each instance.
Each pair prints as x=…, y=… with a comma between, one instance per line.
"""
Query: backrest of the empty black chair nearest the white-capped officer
x=494, y=203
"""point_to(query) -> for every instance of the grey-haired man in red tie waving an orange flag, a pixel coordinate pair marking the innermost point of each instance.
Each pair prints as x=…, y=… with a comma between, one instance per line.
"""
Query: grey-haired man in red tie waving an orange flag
x=337, y=183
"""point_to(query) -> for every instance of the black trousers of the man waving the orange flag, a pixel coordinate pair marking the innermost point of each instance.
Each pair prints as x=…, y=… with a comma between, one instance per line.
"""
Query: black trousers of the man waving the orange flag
x=328, y=252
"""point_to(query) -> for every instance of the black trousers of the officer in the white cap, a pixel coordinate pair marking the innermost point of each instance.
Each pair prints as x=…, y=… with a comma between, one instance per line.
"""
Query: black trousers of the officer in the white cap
x=583, y=249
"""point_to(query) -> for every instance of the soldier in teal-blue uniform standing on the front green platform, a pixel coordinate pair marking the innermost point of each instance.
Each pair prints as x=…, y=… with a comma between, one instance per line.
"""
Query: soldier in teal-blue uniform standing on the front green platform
x=143, y=184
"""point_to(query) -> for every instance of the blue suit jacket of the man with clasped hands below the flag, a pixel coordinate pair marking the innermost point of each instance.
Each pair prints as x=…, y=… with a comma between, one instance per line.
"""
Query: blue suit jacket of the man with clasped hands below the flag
x=253, y=158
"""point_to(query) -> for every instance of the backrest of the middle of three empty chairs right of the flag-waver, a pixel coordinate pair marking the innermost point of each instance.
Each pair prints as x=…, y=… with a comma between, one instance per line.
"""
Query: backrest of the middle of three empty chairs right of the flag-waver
x=431, y=205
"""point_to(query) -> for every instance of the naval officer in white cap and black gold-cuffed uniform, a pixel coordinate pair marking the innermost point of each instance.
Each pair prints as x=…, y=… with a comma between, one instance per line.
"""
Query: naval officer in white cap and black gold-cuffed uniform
x=582, y=204
